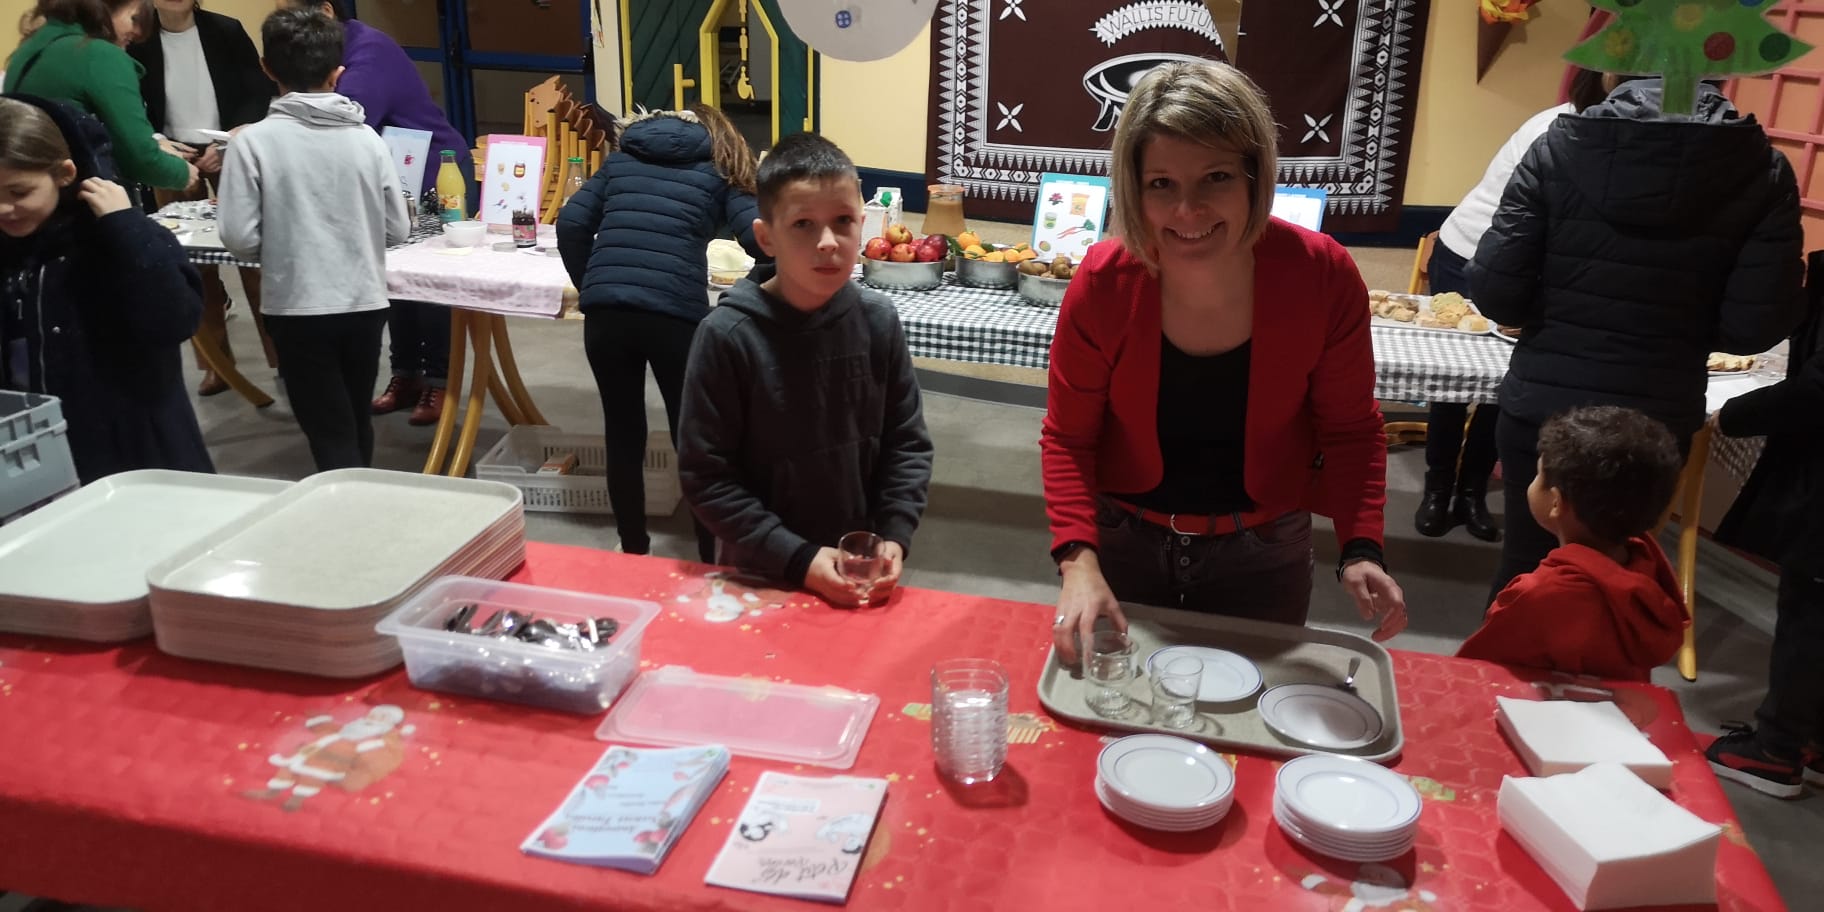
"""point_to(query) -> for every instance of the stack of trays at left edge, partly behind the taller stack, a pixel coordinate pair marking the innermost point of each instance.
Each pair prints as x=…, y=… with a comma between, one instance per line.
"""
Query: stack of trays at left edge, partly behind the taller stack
x=78, y=566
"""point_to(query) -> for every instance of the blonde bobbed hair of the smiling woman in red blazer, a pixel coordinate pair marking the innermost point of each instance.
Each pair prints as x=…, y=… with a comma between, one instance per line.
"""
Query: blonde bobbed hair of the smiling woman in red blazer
x=1203, y=103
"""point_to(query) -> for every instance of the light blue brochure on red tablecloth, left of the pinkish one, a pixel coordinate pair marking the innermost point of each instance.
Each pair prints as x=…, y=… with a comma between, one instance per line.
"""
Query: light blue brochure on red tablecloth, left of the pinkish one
x=632, y=807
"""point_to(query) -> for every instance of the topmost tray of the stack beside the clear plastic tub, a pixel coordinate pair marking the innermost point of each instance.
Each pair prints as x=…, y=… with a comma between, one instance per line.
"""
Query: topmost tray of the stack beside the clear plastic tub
x=340, y=541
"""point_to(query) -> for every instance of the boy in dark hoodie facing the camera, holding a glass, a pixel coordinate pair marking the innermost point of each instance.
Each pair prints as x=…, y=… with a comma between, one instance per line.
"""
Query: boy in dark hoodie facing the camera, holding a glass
x=802, y=415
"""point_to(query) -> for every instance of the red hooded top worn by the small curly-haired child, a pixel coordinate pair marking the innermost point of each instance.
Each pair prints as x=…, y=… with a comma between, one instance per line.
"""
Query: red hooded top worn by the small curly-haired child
x=1588, y=616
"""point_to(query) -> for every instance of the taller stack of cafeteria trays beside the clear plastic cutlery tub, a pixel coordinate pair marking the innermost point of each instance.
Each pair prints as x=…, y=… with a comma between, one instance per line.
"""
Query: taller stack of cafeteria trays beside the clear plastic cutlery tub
x=300, y=585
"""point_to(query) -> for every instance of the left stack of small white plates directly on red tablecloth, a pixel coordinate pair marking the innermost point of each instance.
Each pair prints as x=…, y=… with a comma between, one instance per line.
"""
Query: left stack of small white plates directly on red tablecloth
x=1165, y=783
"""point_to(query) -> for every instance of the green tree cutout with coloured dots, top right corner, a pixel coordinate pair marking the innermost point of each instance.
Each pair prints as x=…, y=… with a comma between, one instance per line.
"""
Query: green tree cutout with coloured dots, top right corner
x=1686, y=41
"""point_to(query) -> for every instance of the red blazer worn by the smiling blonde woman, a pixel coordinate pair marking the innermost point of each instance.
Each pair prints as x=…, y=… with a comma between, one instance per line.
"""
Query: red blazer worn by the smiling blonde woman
x=1314, y=435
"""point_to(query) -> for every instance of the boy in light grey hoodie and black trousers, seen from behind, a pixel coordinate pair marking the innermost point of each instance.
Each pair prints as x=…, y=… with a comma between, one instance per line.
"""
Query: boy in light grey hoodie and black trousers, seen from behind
x=311, y=192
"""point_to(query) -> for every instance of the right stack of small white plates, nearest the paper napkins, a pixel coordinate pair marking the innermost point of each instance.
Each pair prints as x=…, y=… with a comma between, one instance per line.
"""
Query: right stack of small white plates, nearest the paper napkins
x=1347, y=809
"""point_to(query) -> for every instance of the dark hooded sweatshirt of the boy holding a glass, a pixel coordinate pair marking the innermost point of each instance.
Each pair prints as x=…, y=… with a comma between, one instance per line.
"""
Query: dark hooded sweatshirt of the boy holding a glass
x=802, y=428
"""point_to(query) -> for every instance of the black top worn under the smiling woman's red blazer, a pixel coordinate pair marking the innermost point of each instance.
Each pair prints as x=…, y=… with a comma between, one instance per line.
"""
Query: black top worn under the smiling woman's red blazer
x=1203, y=430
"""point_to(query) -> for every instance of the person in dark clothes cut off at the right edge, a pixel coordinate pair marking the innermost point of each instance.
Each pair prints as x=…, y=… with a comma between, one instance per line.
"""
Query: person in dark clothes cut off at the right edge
x=1781, y=517
